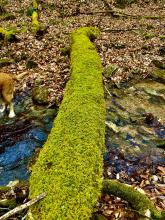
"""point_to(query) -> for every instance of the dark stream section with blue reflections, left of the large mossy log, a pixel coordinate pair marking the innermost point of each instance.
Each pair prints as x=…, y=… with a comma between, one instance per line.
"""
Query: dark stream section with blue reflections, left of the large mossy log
x=21, y=137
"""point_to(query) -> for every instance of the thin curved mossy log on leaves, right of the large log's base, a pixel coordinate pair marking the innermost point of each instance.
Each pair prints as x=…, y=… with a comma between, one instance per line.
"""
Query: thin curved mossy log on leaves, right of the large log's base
x=140, y=202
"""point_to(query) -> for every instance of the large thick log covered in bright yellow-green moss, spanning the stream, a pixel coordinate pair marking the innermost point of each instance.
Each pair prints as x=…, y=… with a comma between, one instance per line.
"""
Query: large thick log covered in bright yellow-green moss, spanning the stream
x=70, y=165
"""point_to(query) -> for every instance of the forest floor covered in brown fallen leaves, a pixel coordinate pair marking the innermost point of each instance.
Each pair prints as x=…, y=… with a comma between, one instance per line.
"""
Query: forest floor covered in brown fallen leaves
x=131, y=39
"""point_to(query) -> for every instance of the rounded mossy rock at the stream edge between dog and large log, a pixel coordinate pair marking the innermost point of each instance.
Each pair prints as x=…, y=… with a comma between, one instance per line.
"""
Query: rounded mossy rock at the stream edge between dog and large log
x=40, y=95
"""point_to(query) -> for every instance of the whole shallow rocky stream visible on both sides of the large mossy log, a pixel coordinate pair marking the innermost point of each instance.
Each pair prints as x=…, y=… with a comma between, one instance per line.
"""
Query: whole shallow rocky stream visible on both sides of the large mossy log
x=135, y=132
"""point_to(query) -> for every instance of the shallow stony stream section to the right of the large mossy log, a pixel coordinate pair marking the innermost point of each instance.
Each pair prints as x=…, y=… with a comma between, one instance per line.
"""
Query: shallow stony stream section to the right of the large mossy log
x=135, y=130
